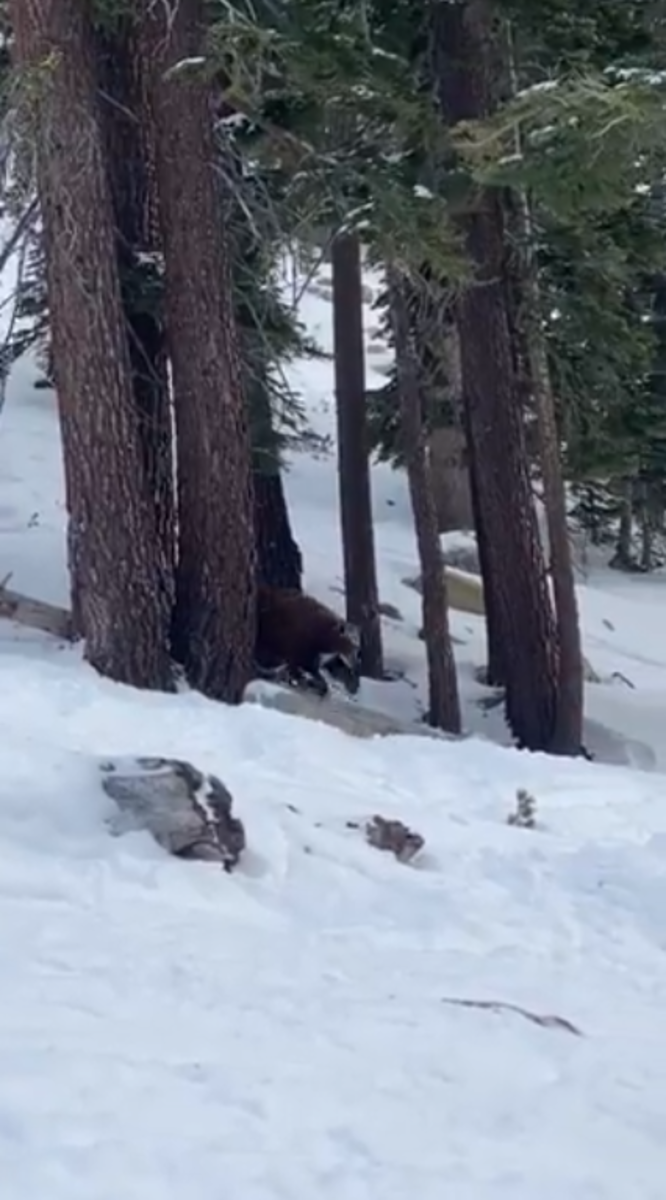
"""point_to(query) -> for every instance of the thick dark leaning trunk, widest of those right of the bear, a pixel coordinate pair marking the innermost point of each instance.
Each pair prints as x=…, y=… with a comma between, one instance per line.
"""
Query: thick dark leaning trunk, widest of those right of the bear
x=466, y=70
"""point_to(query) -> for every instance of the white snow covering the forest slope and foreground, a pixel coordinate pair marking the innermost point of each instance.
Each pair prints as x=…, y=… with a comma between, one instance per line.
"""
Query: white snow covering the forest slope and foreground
x=287, y=1033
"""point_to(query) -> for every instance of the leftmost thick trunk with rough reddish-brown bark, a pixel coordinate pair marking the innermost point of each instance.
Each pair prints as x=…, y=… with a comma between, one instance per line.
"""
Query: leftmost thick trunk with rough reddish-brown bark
x=117, y=586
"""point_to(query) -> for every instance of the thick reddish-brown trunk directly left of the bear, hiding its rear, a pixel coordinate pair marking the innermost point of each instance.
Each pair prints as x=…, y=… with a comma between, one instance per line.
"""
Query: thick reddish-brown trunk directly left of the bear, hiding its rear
x=215, y=610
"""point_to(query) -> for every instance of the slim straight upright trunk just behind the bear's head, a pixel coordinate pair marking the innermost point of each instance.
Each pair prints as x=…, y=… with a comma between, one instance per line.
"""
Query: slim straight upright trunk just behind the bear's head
x=353, y=455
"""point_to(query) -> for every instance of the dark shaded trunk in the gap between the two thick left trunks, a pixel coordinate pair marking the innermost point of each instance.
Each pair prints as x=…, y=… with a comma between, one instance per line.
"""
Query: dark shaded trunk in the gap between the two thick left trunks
x=133, y=178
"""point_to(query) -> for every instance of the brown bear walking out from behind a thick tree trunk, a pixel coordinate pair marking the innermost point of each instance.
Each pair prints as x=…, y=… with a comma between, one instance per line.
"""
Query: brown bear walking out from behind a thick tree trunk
x=301, y=638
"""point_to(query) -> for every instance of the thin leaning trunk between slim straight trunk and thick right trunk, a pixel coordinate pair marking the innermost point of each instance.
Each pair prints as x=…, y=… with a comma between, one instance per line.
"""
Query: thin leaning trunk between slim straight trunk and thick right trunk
x=443, y=703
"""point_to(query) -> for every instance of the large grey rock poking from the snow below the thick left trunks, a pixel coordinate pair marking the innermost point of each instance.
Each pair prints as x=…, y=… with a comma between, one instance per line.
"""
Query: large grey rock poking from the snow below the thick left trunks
x=188, y=813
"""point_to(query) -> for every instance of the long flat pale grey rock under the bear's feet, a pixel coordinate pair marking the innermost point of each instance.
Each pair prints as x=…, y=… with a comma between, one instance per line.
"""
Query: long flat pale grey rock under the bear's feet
x=343, y=715
